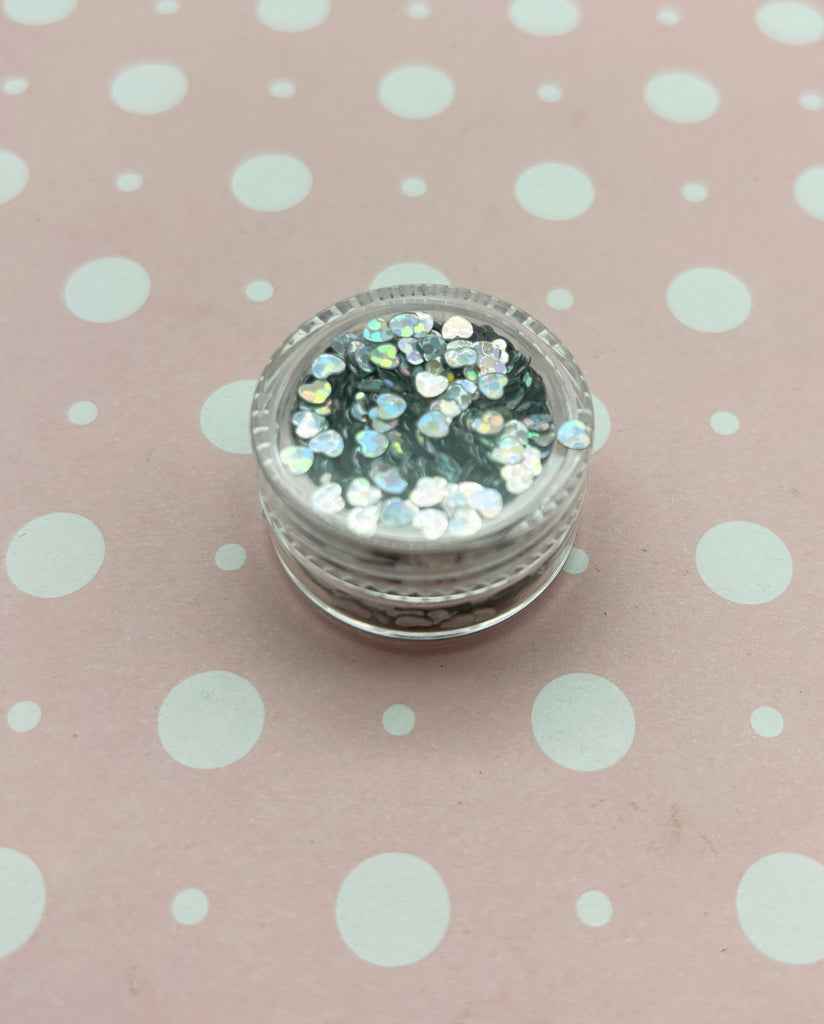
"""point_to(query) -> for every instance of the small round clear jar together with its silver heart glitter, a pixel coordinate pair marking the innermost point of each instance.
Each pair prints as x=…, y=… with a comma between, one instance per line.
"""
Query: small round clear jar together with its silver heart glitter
x=422, y=458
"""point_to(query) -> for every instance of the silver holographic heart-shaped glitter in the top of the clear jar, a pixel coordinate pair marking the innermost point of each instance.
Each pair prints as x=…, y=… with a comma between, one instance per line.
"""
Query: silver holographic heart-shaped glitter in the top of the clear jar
x=419, y=426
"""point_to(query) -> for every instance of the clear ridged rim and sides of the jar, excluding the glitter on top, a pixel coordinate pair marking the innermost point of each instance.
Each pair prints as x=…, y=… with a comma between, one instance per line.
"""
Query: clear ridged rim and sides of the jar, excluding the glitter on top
x=399, y=583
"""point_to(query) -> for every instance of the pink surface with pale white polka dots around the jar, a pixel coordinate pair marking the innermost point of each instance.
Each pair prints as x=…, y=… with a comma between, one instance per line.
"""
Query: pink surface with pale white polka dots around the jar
x=614, y=798
